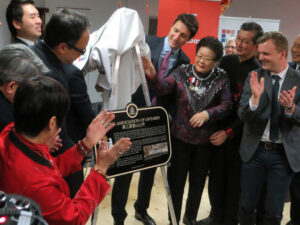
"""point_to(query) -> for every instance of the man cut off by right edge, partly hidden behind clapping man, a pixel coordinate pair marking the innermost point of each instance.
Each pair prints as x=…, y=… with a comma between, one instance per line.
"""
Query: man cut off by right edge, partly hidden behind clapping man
x=295, y=185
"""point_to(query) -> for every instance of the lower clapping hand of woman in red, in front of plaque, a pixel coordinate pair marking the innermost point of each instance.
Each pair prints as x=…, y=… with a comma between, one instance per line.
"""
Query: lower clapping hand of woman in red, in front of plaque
x=107, y=157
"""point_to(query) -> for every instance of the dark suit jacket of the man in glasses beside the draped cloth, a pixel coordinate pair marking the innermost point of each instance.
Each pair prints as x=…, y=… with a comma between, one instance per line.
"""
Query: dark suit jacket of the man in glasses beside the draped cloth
x=81, y=113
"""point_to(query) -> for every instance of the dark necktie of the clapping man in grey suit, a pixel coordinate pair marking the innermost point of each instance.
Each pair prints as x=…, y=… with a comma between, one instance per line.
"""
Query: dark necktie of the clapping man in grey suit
x=274, y=124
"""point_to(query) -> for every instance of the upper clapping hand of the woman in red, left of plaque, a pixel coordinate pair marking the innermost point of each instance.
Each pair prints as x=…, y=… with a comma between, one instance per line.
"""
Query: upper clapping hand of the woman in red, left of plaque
x=98, y=128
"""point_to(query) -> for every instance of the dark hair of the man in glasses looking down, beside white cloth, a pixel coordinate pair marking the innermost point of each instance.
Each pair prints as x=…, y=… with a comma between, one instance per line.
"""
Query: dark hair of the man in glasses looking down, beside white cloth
x=65, y=26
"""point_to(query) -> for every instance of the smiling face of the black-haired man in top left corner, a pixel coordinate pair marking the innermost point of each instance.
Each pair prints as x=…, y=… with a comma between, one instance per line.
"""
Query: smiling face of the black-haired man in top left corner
x=30, y=27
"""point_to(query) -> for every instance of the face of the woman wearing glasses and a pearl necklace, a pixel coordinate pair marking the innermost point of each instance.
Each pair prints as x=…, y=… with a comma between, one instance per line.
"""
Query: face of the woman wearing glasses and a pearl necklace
x=205, y=60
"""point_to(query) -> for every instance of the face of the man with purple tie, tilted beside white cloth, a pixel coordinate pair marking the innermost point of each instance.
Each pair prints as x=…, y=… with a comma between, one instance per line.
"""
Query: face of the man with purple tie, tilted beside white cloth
x=178, y=35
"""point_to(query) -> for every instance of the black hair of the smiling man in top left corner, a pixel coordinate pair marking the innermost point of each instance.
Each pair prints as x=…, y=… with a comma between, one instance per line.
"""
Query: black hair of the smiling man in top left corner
x=14, y=11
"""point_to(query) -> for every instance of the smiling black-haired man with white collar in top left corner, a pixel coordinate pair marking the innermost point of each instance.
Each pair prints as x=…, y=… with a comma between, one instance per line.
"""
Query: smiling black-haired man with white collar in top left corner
x=23, y=21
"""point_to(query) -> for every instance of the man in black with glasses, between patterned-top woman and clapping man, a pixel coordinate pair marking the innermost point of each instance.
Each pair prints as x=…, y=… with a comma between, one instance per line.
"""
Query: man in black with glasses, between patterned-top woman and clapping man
x=224, y=177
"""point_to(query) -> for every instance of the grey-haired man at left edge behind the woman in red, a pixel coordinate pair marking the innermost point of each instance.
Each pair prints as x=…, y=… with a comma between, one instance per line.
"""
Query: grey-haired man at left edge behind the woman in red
x=17, y=63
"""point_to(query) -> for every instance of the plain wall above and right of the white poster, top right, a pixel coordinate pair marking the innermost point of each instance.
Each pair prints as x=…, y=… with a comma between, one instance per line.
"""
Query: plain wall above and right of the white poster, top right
x=287, y=11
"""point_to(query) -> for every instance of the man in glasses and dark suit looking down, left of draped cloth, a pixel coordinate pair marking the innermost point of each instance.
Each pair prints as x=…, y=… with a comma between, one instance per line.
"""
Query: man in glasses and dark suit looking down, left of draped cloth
x=66, y=37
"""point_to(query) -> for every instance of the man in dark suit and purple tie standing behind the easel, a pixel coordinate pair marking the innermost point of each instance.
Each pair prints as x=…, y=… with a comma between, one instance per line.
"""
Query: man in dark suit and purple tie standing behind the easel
x=183, y=29
